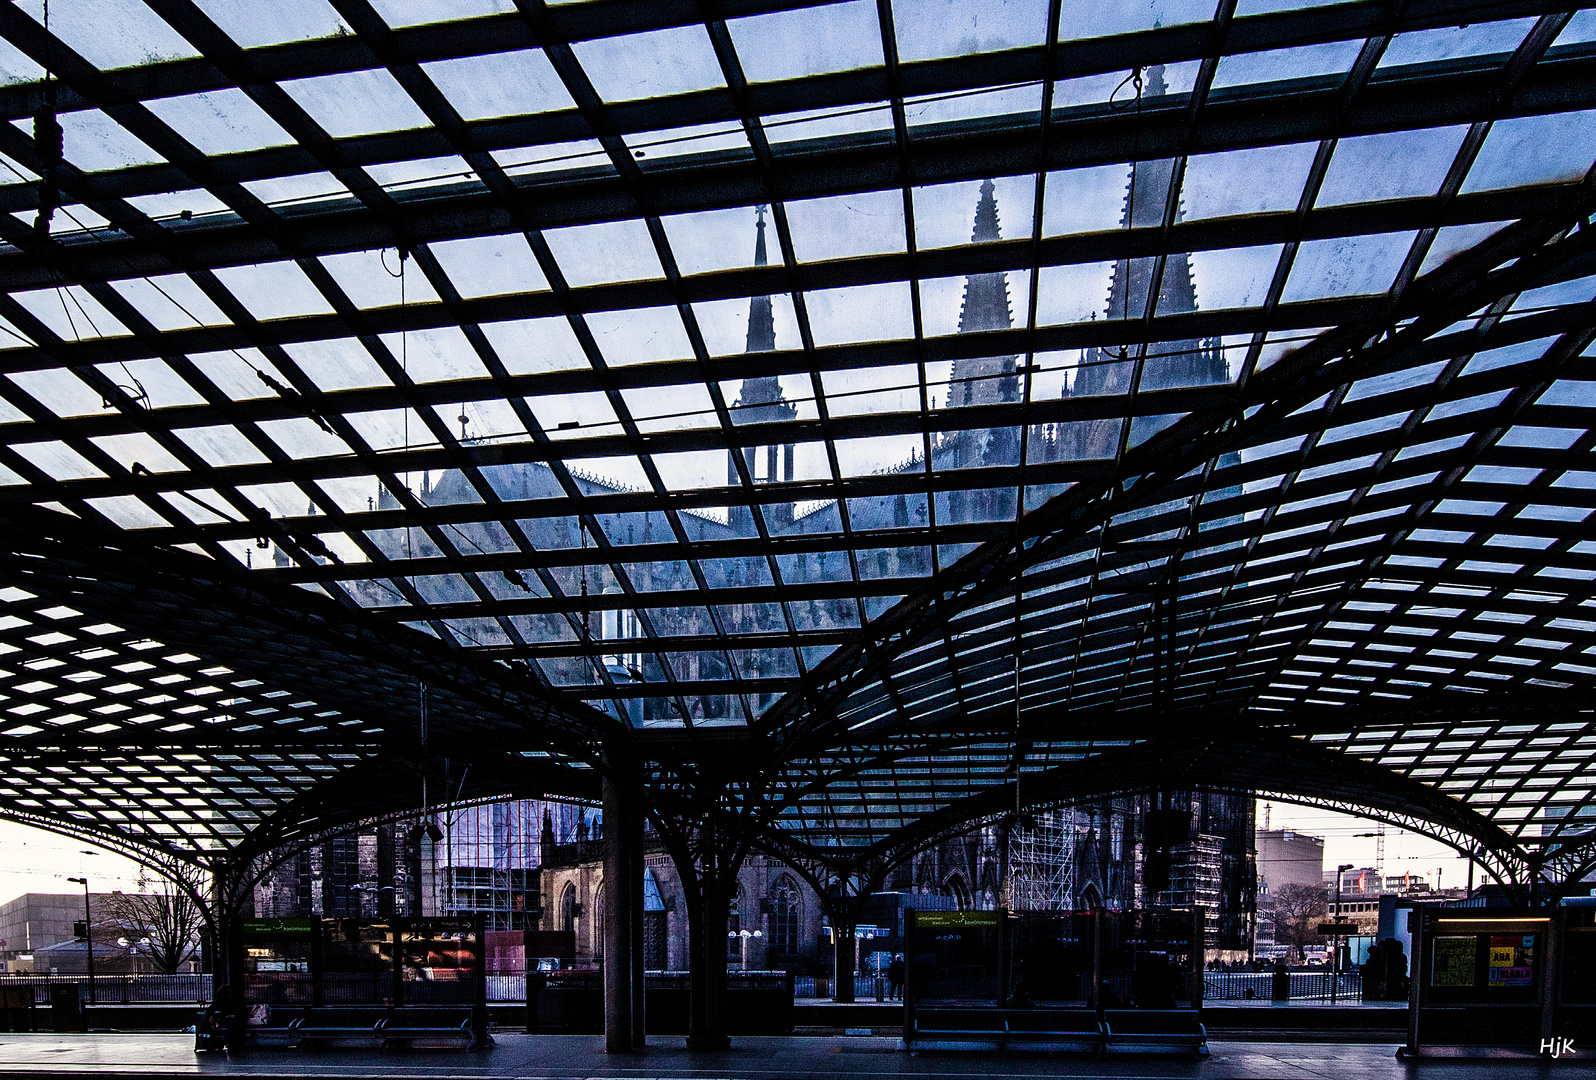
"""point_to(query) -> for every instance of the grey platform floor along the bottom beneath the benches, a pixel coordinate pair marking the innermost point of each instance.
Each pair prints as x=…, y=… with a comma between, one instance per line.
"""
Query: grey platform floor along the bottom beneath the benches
x=109, y=1057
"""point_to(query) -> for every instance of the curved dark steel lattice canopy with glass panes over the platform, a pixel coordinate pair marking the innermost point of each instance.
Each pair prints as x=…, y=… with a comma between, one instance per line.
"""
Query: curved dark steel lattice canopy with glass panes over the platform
x=1089, y=379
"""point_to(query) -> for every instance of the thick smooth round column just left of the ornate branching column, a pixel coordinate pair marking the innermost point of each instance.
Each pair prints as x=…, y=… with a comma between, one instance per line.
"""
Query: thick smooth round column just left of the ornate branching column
x=620, y=859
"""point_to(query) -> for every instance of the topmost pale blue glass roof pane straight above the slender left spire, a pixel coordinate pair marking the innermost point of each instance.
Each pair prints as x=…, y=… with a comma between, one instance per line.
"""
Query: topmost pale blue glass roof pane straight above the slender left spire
x=783, y=45
